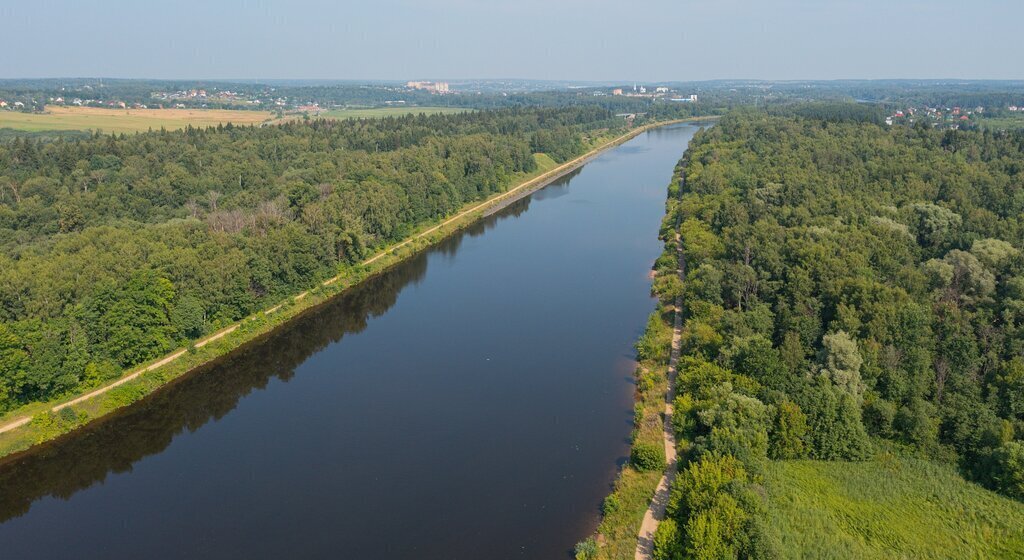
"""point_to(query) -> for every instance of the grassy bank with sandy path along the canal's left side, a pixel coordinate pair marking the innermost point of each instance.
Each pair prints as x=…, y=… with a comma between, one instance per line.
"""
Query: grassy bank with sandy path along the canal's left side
x=41, y=422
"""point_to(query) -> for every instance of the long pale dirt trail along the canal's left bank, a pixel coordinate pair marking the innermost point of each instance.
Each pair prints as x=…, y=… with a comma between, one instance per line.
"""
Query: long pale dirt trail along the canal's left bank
x=522, y=190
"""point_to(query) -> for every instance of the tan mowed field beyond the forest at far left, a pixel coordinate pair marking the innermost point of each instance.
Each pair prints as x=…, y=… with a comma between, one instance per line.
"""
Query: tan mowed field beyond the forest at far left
x=122, y=120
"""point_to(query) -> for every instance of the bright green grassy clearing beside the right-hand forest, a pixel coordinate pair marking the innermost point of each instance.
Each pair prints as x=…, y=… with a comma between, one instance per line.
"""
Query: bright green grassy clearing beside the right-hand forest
x=889, y=507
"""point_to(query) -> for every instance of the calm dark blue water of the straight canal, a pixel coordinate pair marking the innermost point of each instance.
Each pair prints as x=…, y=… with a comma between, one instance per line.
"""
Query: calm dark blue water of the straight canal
x=474, y=403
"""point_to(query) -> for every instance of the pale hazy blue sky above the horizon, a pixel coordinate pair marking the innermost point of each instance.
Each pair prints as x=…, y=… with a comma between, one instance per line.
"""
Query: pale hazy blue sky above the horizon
x=651, y=40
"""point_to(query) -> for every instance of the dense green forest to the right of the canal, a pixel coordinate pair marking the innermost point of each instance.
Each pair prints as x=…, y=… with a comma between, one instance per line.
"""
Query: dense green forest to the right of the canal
x=849, y=287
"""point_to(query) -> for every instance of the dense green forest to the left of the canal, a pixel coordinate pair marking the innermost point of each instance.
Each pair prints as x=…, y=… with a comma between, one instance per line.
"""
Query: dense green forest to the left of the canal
x=117, y=249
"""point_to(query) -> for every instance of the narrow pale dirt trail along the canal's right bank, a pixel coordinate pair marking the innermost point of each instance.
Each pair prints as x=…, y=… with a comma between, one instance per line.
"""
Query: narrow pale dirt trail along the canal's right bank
x=656, y=512
